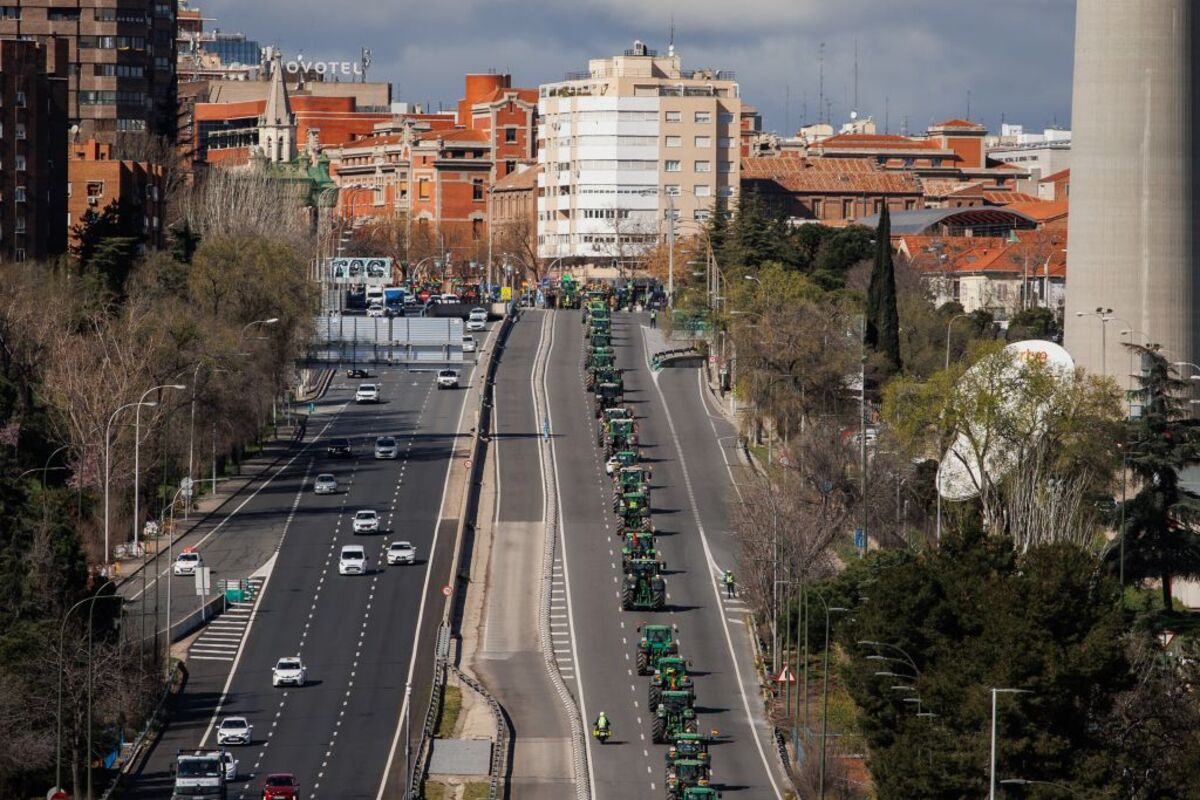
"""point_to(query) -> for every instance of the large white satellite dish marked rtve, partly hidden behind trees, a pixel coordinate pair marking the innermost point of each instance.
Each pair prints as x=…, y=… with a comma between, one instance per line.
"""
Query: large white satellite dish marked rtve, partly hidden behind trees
x=959, y=474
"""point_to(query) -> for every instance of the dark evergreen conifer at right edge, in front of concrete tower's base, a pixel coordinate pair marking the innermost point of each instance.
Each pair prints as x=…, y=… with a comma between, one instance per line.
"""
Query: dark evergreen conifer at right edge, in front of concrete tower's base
x=1160, y=534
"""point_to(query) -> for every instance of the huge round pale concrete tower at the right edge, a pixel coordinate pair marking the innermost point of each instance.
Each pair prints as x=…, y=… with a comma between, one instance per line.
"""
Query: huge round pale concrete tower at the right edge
x=1132, y=244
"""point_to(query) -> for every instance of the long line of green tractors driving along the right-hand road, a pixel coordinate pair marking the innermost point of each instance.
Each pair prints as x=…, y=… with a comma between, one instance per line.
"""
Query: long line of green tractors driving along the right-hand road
x=671, y=694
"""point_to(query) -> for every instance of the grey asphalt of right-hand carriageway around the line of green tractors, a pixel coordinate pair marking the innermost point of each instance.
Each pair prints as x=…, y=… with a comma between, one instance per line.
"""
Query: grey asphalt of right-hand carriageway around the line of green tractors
x=692, y=452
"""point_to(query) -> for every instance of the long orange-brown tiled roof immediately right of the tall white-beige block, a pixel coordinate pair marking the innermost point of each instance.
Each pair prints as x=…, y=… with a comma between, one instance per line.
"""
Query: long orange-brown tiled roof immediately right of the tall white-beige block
x=830, y=176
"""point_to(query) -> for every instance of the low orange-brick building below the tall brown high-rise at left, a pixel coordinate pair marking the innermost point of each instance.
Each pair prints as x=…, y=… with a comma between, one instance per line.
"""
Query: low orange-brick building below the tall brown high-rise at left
x=95, y=181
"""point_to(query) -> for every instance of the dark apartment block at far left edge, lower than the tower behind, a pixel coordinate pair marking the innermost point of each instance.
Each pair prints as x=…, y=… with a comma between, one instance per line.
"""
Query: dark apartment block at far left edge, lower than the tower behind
x=33, y=149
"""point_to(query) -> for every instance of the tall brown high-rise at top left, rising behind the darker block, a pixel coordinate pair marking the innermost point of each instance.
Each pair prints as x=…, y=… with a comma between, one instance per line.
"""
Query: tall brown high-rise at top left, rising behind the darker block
x=122, y=55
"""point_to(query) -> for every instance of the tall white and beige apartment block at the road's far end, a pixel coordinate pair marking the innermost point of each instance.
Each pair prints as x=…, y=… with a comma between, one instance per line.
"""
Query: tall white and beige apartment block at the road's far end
x=628, y=143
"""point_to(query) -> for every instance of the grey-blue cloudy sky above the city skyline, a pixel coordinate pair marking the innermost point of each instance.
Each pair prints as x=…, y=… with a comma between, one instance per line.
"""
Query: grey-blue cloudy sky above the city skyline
x=919, y=59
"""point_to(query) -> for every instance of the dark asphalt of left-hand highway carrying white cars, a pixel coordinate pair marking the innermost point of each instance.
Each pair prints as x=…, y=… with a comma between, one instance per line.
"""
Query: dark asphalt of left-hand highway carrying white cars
x=356, y=634
